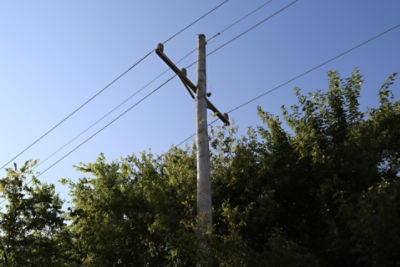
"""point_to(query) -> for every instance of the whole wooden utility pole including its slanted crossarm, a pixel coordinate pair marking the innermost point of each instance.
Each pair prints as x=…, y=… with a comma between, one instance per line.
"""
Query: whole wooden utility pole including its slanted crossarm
x=204, y=211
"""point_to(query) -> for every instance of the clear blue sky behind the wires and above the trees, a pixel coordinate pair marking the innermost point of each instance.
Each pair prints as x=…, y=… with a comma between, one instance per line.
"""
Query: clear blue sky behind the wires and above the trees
x=54, y=55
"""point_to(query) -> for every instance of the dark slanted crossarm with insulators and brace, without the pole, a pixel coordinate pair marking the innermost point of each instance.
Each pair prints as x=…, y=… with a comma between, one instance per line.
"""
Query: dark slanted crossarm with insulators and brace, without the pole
x=188, y=84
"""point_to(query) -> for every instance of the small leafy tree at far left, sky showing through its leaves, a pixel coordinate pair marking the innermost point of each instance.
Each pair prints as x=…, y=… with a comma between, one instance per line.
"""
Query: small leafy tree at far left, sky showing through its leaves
x=31, y=223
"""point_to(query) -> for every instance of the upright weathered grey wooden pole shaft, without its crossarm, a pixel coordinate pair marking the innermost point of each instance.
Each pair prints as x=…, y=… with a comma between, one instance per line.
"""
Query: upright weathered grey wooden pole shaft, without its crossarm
x=203, y=152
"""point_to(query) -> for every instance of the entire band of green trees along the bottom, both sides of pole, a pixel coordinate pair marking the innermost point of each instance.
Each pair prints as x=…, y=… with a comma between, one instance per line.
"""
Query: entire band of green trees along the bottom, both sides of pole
x=318, y=186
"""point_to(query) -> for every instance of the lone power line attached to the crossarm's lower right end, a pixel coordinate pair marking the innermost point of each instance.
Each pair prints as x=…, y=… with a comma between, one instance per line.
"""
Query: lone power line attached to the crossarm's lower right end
x=301, y=75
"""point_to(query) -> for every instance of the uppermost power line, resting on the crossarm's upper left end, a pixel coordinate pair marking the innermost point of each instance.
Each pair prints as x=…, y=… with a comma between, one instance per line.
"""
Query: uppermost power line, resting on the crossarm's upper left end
x=111, y=83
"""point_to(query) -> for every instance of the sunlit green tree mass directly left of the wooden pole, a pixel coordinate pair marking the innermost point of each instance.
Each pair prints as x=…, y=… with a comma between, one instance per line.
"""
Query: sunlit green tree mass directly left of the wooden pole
x=135, y=212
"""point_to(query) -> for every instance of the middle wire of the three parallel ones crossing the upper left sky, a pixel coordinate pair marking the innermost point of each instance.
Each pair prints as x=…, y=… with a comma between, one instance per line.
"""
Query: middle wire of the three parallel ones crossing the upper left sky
x=149, y=83
